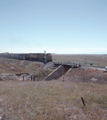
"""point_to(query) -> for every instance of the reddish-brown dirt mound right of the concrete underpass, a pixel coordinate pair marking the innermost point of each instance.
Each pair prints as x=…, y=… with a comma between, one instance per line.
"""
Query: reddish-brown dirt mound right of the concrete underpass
x=85, y=75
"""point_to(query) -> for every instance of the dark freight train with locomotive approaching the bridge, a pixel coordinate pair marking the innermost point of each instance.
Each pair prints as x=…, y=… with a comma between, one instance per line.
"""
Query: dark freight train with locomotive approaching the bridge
x=41, y=57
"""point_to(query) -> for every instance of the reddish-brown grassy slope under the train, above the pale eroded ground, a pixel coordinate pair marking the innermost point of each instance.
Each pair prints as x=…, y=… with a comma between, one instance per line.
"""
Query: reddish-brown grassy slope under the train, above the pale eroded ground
x=22, y=66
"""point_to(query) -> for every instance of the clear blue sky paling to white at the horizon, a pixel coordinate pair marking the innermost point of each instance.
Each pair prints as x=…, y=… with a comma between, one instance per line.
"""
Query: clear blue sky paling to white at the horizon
x=54, y=26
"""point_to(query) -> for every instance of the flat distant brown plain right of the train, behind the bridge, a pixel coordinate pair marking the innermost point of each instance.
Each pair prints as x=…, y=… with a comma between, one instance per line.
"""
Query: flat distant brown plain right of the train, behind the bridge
x=96, y=59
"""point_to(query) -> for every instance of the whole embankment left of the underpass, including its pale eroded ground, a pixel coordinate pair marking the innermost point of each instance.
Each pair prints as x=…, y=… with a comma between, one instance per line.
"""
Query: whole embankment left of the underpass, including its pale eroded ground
x=11, y=69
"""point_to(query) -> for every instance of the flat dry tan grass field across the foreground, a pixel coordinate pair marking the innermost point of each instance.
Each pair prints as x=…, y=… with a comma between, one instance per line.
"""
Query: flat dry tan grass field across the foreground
x=53, y=100
